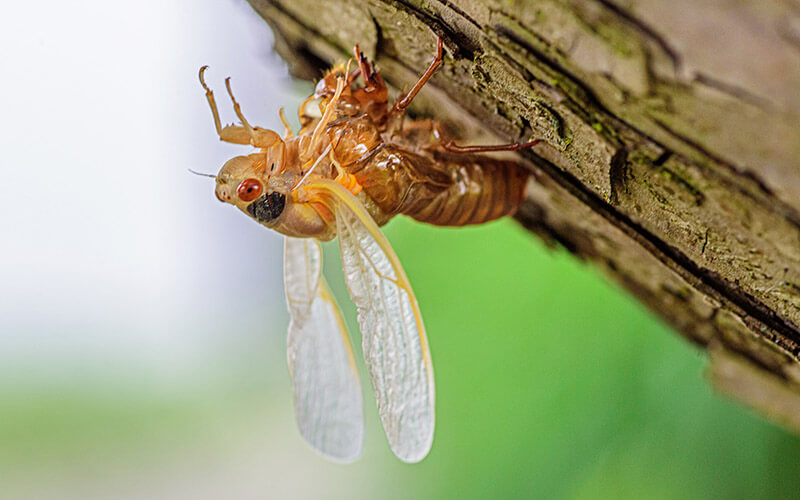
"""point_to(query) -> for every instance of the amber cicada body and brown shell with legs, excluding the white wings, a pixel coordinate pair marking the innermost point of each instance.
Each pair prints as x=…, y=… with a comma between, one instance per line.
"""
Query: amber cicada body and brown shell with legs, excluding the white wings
x=393, y=165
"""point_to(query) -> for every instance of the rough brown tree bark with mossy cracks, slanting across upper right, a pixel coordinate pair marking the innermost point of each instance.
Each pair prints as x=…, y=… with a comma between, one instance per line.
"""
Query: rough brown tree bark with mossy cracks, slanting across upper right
x=671, y=154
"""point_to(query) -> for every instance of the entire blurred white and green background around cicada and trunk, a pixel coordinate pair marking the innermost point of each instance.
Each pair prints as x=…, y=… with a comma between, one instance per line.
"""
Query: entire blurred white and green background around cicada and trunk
x=142, y=323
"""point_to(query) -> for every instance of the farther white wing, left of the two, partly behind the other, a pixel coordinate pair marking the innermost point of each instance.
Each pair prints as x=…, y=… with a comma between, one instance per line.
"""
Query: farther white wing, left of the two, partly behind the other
x=327, y=392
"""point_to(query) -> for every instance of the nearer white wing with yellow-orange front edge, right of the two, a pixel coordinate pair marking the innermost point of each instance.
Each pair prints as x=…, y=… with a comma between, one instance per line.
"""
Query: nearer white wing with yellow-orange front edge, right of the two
x=395, y=346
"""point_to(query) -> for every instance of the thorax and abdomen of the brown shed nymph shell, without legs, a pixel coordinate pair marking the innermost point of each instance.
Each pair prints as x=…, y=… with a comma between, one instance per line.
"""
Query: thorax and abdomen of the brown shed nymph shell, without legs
x=408, y=173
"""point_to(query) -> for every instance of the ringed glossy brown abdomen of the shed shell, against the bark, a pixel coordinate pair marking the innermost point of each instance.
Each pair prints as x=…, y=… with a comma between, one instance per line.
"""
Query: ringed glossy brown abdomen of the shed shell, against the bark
x=441, y=188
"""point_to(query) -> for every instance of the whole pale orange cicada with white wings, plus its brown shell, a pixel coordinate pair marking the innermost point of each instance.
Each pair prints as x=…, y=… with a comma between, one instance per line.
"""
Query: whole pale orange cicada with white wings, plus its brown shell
x=355, y=163
